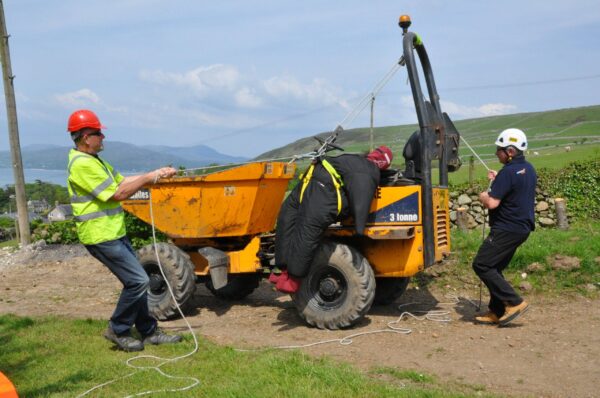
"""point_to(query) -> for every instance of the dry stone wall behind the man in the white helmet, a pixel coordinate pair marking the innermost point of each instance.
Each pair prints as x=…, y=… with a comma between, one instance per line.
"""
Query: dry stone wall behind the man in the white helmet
x=545, y=213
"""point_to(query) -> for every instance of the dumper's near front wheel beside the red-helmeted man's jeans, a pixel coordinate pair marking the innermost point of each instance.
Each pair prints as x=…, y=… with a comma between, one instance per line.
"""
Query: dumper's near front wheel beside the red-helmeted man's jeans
x=179, y=270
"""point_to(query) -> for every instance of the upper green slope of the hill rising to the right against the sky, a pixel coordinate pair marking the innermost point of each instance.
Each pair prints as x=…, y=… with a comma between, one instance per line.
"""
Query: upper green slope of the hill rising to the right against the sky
x=544, y=129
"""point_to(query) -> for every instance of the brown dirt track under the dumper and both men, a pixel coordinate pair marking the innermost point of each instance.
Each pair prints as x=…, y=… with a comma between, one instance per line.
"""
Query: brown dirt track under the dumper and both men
x=554, y=351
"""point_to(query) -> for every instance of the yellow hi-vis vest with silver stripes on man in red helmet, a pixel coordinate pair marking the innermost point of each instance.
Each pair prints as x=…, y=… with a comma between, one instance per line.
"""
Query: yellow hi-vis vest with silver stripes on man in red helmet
x=92, y=183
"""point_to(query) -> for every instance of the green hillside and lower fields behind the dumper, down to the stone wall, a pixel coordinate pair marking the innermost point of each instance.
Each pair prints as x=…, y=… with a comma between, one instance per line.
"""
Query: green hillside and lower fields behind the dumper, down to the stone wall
x=548, y=134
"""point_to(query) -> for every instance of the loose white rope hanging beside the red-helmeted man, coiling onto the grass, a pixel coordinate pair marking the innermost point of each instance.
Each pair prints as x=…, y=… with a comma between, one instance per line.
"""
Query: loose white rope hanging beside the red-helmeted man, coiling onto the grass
x=164, y=361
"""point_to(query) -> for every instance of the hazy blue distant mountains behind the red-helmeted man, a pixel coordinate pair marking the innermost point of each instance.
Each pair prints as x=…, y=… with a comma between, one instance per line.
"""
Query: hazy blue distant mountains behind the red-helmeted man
x=126, y=157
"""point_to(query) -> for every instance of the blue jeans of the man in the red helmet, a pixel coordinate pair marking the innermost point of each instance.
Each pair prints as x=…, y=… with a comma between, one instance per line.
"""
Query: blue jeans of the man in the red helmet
x=132, y=308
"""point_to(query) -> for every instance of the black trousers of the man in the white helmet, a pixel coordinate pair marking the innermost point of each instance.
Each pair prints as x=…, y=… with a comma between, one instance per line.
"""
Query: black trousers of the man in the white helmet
x=493, y=257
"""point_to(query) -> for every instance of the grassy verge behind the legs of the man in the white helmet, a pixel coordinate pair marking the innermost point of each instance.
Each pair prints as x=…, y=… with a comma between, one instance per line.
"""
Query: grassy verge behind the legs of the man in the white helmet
x=582, y=240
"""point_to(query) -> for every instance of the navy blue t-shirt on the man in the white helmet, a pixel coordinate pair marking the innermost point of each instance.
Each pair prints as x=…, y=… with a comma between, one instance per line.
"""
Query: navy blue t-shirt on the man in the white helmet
x=514, y=186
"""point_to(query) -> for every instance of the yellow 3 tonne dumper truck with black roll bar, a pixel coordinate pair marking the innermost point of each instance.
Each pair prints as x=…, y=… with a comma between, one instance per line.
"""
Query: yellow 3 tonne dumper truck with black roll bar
x=220, y=224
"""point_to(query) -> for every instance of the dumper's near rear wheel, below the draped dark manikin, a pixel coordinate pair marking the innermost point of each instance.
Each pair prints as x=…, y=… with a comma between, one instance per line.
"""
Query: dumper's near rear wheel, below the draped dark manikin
x=338, y=290
